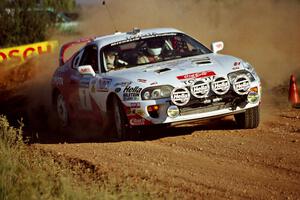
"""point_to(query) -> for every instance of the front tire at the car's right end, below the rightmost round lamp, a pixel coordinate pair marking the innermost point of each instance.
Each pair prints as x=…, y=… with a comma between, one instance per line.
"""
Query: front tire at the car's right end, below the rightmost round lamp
x=249, y=119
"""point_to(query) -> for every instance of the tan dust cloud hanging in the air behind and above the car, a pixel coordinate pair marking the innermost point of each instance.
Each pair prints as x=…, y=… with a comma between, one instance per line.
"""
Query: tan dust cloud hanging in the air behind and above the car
x=265, y=33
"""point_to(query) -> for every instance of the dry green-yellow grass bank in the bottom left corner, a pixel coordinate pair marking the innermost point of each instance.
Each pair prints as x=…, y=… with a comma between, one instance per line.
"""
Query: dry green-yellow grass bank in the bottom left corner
x=26, y=173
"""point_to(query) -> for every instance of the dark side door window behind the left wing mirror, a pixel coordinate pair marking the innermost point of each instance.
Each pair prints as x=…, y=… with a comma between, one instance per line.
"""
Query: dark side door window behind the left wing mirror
x=90, y=57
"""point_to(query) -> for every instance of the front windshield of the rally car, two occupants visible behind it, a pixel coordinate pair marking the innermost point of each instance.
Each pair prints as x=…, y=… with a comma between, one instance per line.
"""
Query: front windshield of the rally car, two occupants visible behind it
x=140, y=51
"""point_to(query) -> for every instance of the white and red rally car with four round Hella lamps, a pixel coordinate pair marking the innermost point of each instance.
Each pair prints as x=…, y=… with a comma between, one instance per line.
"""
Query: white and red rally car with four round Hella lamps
x=153, y=76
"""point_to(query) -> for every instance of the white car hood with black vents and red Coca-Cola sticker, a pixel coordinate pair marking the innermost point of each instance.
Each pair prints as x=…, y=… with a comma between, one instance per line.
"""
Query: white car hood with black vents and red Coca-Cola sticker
x=176, y=71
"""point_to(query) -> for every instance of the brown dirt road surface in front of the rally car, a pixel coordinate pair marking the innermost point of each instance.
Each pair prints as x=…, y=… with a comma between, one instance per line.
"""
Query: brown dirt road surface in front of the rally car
x=202, y=161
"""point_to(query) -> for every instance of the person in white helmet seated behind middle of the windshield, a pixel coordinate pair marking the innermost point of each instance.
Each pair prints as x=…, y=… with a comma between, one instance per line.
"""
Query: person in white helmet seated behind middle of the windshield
x=153, y=53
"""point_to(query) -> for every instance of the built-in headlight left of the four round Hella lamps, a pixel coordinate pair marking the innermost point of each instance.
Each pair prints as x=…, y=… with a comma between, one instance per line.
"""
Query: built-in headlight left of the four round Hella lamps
x=158, y=92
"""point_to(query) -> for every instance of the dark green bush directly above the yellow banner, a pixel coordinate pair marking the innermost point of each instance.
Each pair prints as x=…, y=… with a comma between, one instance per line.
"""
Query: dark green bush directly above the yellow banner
x=19, y=25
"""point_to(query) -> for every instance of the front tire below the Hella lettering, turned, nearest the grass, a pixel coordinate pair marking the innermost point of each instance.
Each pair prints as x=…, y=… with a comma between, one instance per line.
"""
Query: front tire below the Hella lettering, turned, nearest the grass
x=121, y=129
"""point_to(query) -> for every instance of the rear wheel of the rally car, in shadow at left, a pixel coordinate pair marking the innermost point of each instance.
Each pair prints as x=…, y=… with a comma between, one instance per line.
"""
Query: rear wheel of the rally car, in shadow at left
x=62, y=112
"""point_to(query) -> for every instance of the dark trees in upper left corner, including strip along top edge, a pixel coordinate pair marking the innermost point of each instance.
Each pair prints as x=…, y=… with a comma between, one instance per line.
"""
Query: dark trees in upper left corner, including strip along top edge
x=27, y=21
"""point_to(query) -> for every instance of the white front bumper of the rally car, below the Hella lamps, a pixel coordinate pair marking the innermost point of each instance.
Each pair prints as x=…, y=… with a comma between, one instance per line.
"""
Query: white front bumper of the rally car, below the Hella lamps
x=137, y=112
